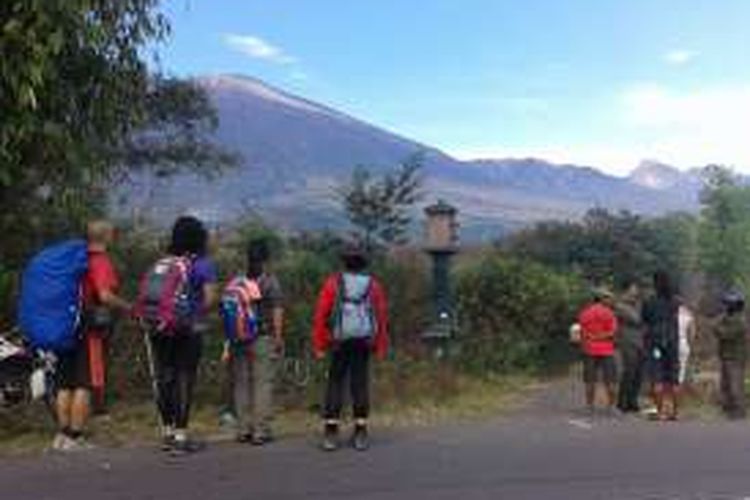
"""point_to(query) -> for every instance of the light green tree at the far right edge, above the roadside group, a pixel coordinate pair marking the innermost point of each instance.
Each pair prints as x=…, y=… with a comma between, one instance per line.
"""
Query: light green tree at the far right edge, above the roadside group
x=725, y=229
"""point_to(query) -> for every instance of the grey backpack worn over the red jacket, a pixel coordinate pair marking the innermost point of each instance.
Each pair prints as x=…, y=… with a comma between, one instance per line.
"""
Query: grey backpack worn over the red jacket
x=353, y=315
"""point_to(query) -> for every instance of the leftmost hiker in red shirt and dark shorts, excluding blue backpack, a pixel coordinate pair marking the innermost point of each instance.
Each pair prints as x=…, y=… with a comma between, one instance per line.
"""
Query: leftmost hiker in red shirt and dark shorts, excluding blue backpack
x=81, y=369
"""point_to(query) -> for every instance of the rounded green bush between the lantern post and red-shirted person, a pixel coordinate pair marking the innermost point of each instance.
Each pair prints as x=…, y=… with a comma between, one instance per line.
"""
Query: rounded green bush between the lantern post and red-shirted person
x=514, y=314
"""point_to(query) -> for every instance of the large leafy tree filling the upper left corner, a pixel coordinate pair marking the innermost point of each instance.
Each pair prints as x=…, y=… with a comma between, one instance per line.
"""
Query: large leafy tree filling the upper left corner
x=81, y=109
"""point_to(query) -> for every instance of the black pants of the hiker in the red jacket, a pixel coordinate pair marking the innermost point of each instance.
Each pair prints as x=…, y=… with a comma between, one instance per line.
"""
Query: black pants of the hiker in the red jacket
x=350, y=359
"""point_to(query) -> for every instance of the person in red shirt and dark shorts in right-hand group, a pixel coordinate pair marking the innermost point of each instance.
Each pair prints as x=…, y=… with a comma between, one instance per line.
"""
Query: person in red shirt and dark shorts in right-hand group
x=598, y=328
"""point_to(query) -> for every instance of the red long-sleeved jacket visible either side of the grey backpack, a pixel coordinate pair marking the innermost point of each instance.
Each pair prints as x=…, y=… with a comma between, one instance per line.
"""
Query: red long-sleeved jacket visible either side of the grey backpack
x=322, y=335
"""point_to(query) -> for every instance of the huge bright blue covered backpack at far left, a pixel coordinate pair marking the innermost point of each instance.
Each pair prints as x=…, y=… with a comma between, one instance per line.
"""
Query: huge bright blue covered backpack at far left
x=49, y=310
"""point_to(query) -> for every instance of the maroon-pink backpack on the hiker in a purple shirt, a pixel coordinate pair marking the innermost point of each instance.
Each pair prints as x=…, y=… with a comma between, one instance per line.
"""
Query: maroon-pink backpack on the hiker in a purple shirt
x=165, y=304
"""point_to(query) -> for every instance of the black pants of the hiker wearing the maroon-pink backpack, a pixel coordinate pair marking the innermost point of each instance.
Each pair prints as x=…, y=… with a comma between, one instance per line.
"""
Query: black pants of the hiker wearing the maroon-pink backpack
x=176, y=365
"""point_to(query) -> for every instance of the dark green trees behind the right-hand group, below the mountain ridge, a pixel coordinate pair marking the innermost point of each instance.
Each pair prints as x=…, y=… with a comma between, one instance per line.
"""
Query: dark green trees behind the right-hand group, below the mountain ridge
x=611, y=248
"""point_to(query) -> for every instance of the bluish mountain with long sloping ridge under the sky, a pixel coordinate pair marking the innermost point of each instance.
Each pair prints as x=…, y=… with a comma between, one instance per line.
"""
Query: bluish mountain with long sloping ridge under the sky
x=295, y=151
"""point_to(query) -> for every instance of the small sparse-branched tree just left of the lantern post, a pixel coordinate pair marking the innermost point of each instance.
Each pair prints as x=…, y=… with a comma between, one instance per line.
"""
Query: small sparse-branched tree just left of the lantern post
x=380, y=208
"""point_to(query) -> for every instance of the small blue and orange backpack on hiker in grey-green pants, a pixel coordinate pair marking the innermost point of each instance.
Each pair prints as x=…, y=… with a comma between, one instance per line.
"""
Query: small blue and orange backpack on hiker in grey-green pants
x=239, y=310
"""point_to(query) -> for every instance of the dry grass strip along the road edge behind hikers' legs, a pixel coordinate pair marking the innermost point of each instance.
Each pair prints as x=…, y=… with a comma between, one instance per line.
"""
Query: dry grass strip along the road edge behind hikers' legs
x=419, y=396
